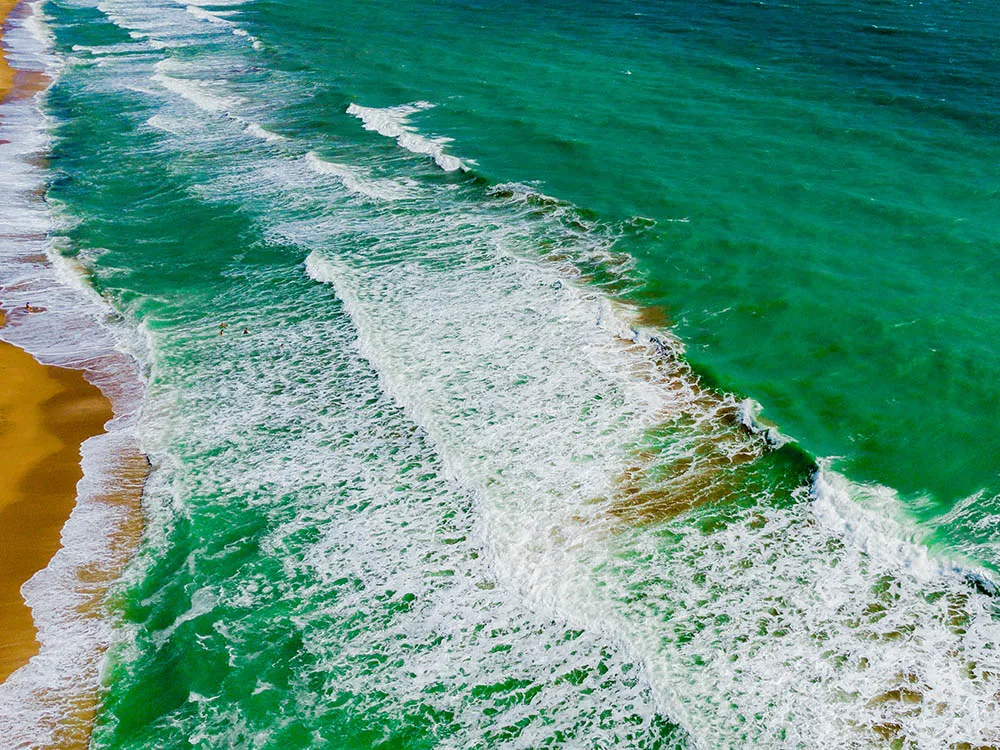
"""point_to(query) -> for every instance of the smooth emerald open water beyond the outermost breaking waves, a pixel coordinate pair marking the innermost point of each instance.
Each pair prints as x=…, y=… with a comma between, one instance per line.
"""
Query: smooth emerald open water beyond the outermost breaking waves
x=825, y=195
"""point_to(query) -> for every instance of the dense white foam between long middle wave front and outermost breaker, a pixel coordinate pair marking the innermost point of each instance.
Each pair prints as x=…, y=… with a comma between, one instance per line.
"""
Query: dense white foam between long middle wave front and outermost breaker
x=838, y=609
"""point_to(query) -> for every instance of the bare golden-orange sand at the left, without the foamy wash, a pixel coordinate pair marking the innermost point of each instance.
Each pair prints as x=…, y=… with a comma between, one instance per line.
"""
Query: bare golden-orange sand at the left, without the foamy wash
x=45, y=414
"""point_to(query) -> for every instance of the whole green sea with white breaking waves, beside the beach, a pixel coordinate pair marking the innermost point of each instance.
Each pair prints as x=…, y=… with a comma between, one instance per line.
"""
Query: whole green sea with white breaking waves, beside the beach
x=476, y=460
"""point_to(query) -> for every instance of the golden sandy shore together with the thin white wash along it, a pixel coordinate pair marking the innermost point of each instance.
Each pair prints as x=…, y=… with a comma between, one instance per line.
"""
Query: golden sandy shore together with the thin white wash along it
x=72, y=464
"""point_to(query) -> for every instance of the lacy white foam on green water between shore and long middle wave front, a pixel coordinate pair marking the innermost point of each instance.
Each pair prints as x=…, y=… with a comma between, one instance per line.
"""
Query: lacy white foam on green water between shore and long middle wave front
x=351, y=539
